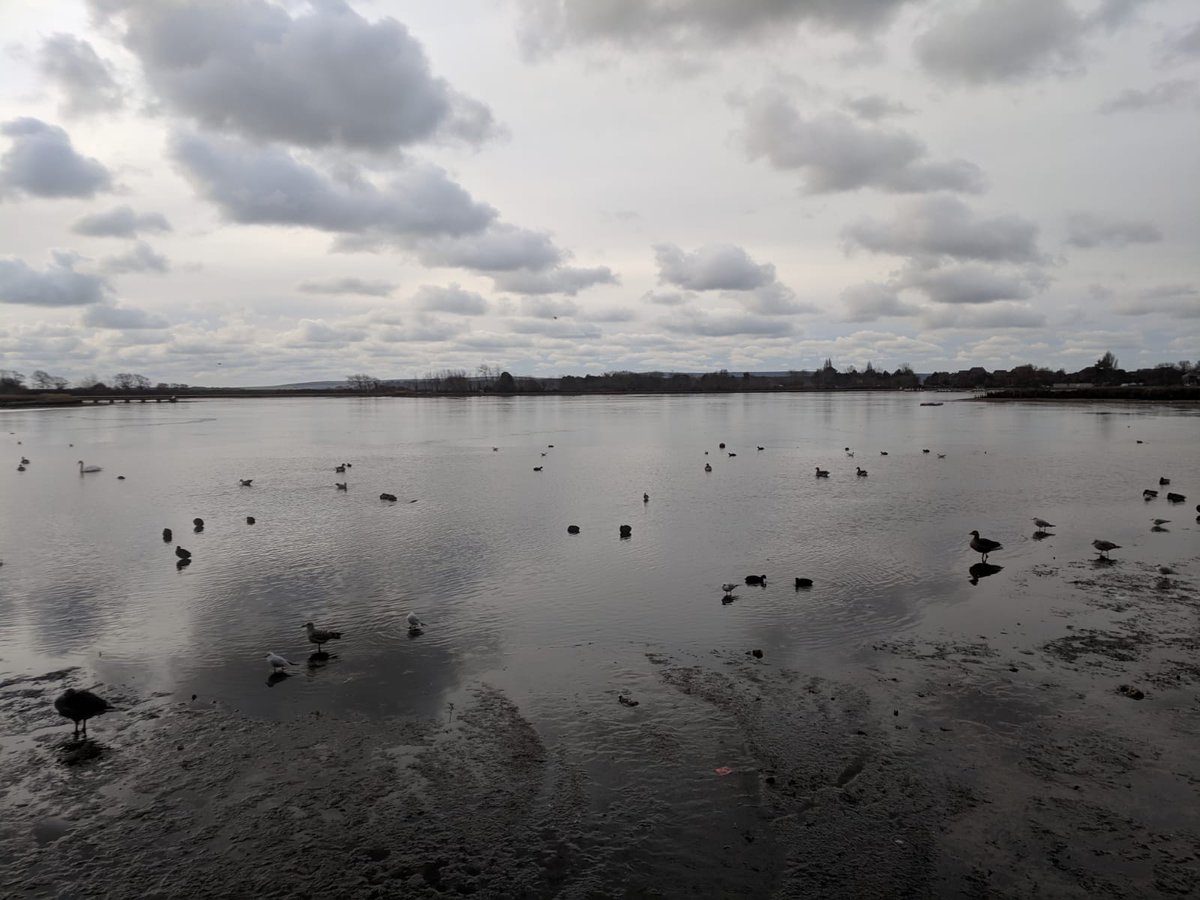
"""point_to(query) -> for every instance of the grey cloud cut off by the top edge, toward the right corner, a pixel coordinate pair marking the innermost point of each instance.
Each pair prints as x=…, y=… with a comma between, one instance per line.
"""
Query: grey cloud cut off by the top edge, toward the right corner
x=1003, y=41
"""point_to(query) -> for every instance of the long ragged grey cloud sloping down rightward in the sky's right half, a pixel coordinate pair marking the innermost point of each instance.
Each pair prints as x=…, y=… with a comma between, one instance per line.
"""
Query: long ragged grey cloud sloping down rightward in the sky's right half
x=836, y=153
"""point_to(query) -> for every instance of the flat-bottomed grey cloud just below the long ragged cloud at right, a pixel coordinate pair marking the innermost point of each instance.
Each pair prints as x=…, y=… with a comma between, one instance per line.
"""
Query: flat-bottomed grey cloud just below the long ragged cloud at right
x=946, y=227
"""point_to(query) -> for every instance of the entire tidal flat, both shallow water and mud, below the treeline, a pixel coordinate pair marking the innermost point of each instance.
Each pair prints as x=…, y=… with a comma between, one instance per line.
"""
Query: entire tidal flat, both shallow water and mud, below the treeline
x=910, y=728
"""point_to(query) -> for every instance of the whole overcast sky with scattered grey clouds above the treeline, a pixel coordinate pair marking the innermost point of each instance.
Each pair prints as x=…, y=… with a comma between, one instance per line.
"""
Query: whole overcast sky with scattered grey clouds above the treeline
x=244, y=193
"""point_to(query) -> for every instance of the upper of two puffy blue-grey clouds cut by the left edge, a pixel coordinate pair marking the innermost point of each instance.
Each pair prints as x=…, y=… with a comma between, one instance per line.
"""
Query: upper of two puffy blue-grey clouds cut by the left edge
x=44, y=164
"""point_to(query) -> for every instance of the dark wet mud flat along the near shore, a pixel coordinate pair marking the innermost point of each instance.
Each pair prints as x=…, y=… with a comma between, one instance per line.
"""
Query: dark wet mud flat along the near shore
x=982, y=766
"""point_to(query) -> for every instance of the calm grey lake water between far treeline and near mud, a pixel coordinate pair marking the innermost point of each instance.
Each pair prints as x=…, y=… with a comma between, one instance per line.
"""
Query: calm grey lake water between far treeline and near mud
x=477, y=544
